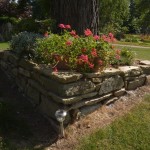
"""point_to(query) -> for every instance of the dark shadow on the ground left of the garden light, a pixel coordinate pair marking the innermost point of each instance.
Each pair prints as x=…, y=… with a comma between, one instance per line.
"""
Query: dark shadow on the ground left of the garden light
x=21, y=126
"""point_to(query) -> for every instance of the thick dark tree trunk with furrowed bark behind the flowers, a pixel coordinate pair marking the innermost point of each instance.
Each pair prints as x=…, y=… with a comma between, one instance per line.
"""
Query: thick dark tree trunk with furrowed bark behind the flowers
x=80, y=14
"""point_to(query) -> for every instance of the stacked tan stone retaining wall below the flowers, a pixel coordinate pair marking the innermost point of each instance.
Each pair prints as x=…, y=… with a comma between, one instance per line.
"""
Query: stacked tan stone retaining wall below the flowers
x=77, y=93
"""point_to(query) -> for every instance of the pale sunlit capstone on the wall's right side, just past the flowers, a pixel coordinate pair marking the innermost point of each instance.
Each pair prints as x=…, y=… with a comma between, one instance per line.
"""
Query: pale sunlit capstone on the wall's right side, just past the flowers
x=131, y=70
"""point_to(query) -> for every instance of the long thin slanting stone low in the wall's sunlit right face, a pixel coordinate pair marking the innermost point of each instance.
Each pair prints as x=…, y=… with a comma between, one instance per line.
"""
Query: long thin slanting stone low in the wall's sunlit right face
x=89, y=101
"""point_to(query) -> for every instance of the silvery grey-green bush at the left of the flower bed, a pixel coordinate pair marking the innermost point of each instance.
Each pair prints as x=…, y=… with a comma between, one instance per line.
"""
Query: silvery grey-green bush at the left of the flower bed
x=23, y=44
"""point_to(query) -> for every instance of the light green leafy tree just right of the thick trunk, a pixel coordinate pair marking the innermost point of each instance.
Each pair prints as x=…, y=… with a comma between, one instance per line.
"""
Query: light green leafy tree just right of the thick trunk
x=113, y=14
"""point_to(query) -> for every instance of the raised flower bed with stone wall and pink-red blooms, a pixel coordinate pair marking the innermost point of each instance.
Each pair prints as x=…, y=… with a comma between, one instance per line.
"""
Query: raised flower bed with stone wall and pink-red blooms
x=79, y=90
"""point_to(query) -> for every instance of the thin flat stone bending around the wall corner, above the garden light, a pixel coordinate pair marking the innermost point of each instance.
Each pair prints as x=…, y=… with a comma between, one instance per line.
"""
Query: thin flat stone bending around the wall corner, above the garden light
x=70, y=100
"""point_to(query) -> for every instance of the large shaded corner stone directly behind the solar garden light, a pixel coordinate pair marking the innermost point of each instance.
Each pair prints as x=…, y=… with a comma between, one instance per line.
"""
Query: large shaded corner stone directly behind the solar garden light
x=49, y=107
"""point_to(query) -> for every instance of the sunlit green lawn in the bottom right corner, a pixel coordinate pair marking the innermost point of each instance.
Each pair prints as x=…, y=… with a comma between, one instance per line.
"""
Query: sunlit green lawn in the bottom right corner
x=131, y=132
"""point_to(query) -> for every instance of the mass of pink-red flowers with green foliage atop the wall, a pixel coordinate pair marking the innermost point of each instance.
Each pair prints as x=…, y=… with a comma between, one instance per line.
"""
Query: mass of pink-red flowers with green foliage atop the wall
x=88, y=53
